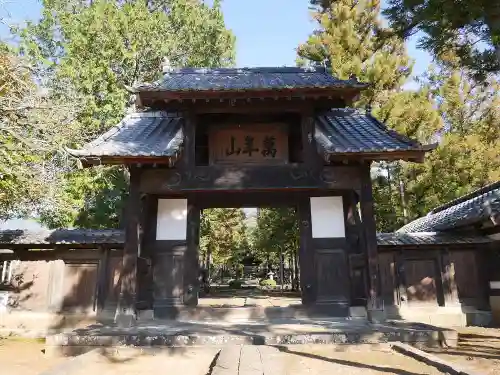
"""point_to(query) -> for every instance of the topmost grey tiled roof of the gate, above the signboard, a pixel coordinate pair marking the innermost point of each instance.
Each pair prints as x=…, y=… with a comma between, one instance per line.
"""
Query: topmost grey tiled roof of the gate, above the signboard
x=243, y=79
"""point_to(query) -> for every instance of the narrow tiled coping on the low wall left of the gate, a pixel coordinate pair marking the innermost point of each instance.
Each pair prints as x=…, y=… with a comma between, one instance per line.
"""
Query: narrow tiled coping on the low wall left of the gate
x=44, y=238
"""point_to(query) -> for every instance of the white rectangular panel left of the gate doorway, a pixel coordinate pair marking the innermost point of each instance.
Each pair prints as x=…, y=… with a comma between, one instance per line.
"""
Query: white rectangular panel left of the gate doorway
x=171, y=223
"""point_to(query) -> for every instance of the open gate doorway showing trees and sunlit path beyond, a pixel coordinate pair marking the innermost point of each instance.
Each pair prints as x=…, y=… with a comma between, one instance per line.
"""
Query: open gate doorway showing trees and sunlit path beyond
x=249, y=257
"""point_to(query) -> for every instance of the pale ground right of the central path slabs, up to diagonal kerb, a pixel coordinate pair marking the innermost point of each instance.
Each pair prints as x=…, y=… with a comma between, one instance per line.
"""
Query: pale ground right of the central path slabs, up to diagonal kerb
x=325, y=359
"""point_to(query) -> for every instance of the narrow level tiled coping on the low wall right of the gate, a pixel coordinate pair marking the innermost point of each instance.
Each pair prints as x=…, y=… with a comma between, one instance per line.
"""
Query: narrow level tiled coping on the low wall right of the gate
x=428, y=238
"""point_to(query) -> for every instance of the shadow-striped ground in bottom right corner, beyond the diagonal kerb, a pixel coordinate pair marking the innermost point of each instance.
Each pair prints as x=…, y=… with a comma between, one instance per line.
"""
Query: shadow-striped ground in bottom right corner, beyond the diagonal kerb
x=478, y=349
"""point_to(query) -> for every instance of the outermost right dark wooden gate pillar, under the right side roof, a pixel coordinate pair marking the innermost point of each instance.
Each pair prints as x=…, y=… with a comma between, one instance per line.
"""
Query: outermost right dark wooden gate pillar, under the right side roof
x=370, y=235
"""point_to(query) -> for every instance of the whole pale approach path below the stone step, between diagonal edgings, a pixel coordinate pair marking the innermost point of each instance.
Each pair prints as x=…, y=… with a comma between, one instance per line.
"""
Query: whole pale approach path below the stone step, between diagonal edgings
x=246, y=360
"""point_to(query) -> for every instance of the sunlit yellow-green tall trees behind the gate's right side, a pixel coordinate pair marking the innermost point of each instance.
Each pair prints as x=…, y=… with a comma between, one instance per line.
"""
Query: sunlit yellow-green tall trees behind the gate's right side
x=448, y=107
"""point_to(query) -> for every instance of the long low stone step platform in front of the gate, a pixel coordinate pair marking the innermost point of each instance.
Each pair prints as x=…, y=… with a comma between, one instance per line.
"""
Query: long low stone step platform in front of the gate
x=174, y=334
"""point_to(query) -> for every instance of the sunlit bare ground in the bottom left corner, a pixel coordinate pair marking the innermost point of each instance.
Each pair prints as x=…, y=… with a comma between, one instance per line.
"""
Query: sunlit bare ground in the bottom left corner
x=24, y=357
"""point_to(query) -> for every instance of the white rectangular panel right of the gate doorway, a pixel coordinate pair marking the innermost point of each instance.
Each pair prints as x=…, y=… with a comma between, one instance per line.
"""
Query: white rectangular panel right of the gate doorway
x=327, y=216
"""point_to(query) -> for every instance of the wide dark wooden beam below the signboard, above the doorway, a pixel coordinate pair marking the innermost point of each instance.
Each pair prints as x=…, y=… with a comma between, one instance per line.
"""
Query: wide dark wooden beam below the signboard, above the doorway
x=238, y=178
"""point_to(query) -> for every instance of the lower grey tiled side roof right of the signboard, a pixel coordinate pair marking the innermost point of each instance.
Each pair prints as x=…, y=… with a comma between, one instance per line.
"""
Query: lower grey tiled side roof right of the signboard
x=347, y=131
